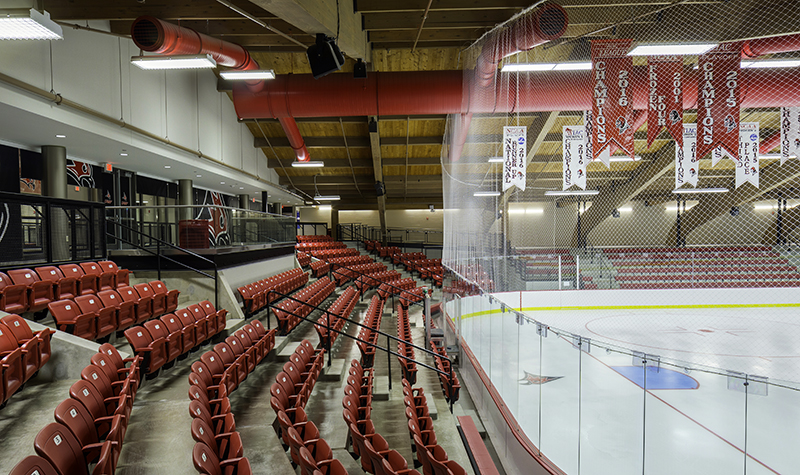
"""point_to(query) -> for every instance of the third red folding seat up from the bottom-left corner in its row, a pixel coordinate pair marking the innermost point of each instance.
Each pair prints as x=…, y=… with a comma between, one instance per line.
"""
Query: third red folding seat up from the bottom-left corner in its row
x=76, y=418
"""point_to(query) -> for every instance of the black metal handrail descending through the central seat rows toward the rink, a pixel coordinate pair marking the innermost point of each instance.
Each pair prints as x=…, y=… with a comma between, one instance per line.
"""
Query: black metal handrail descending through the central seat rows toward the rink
x=450, y=375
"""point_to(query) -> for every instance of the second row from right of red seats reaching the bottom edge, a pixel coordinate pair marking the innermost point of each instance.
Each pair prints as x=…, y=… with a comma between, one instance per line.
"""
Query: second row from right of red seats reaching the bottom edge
x=369, y=446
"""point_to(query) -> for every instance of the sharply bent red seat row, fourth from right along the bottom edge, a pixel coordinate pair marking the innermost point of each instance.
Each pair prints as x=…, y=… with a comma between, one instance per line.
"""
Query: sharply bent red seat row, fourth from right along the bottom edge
x=219, y=372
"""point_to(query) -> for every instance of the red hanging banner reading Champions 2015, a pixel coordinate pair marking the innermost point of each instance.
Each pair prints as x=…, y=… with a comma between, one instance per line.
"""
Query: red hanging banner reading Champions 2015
x=718, y=101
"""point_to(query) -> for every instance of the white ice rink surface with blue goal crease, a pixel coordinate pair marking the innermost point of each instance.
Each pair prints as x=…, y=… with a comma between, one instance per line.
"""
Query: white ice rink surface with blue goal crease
x=690, y=412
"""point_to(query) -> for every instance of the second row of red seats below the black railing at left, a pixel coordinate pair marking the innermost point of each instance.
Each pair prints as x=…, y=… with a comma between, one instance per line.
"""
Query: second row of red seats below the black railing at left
x=96, y=316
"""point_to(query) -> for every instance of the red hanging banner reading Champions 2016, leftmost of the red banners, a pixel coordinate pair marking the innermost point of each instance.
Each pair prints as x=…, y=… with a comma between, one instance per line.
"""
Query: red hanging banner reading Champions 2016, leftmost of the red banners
x=611, y=102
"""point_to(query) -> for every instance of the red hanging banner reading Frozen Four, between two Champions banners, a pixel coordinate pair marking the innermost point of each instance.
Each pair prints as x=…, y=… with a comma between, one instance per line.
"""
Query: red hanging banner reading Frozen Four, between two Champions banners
x=665, y=100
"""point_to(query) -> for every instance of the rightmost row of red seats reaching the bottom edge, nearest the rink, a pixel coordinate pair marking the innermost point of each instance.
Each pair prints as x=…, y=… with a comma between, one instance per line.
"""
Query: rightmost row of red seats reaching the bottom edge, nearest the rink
x=430, y=456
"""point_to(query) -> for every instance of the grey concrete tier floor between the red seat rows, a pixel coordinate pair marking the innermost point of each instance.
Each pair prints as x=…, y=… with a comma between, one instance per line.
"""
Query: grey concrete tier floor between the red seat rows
x=158, y=440
